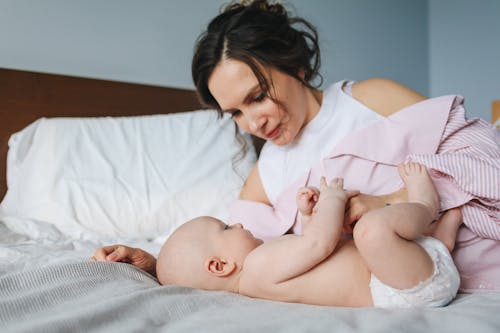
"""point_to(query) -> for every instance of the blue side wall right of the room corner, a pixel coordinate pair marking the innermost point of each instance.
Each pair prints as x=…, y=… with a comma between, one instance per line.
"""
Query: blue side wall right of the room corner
x=464, y=48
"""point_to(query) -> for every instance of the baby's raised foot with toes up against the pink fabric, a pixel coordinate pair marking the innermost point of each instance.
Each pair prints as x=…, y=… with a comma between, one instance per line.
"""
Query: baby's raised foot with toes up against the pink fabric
x=420, y=186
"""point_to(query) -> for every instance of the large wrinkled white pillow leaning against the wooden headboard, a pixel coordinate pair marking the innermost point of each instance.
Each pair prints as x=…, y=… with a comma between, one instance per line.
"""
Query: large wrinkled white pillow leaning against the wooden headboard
x=133, y=177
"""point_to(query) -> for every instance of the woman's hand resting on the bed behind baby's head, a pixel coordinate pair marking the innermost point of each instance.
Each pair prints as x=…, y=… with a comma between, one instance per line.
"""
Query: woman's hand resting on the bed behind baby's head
x=122, y=253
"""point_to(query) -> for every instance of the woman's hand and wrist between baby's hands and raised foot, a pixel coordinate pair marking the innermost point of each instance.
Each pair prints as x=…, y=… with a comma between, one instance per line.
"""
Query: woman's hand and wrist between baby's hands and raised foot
x=361, y=204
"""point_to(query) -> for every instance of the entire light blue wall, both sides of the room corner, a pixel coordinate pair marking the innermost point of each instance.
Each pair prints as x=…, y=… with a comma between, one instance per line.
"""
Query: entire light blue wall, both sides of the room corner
x=433, y=46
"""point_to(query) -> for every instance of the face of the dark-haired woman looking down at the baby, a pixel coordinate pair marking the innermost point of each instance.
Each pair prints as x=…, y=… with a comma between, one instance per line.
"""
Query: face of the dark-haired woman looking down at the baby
x=237, y=91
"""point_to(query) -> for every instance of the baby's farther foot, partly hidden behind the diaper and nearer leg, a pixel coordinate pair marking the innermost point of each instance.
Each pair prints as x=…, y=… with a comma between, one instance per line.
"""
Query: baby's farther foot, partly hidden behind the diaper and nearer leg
x=446, y=228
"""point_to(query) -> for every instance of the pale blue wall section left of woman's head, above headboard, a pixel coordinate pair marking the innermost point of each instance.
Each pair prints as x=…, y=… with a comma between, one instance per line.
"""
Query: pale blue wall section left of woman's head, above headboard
x=147, y=41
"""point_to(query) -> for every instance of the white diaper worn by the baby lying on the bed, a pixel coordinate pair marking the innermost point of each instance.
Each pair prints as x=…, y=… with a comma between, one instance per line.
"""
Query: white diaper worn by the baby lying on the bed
x=438, y=290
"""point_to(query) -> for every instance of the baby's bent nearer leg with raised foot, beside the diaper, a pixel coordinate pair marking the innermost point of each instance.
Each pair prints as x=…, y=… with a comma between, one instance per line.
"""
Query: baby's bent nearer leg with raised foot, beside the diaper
x=384, y=237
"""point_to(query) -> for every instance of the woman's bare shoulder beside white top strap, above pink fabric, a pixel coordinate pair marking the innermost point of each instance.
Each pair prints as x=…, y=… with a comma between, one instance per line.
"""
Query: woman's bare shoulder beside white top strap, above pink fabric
x=385, y=96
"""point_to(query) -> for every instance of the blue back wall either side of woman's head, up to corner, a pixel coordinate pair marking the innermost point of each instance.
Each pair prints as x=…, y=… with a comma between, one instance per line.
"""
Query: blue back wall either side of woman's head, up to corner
x=151, y=41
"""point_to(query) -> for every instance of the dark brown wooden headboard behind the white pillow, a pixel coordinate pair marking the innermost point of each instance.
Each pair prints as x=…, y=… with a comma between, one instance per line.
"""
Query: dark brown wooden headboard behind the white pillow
x=27, y=96
